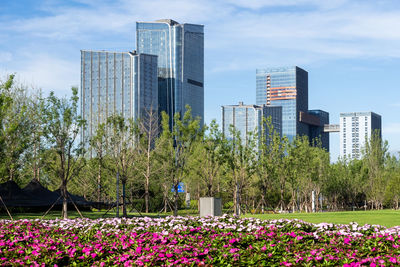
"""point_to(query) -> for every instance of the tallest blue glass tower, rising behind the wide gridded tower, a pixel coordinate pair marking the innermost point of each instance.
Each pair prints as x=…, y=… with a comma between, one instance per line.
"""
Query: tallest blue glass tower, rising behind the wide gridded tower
x=180, y=51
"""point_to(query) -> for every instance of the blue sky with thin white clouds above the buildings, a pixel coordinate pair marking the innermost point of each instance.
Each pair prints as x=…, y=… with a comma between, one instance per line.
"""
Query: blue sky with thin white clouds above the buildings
x=350, y=48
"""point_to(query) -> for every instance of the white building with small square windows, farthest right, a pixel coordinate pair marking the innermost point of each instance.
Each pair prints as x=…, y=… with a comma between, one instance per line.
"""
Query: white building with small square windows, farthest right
x=355, y=129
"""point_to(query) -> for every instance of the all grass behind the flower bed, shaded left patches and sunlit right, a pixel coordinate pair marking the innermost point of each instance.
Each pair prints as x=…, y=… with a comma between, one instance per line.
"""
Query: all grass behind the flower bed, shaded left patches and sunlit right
x=387, y=218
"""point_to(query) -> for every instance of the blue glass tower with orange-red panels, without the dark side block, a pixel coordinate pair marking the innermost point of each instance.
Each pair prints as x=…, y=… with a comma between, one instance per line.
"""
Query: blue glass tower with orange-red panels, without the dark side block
x=286, y=87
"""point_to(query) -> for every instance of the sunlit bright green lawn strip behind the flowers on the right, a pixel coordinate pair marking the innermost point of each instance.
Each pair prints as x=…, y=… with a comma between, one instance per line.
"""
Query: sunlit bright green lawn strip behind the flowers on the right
x=387, y=218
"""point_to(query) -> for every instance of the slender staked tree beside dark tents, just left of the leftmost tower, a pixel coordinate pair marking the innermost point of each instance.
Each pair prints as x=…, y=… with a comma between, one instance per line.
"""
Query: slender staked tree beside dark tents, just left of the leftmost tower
x=61, y=127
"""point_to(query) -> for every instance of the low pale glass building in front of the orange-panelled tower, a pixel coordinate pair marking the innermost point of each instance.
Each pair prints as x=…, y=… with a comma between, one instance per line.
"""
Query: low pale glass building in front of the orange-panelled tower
x=248, y=118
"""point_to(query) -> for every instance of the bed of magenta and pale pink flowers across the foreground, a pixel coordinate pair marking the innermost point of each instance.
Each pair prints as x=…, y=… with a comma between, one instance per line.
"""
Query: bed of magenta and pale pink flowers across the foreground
x=196, y=241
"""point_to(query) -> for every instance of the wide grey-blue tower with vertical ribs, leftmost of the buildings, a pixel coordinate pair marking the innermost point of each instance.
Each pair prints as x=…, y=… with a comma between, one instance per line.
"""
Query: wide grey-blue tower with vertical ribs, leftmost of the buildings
x=116, y=83
